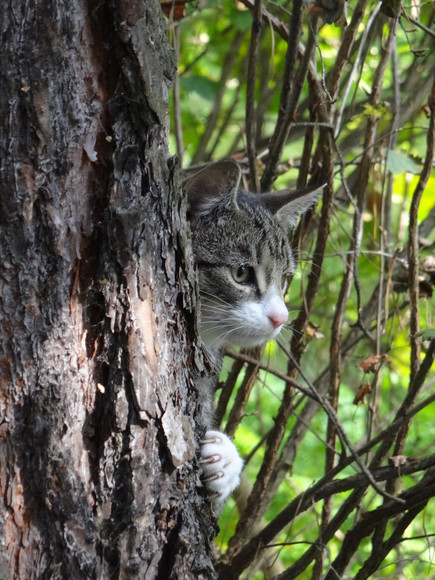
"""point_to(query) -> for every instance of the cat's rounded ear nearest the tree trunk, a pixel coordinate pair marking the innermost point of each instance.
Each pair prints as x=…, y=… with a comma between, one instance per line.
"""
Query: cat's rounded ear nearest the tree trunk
x=214, y=185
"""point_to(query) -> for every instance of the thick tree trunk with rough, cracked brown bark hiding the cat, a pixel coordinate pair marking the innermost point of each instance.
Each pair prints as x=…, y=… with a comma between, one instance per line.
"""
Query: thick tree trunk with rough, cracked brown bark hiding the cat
x=98, y=469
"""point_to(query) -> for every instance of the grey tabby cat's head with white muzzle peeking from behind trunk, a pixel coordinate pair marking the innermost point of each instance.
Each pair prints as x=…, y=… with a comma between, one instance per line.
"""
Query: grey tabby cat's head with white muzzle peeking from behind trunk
x=241, y=248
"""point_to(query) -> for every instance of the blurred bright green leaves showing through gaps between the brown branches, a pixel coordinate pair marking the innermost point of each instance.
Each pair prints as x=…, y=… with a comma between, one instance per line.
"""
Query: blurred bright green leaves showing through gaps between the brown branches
x=213, y=33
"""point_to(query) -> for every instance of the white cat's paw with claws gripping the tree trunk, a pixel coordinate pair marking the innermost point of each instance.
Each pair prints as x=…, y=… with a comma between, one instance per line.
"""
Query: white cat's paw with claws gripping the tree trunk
x=221, y=466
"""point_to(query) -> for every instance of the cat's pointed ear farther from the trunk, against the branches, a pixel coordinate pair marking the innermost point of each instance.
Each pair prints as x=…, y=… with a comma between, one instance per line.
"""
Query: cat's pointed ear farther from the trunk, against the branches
x=287, y=205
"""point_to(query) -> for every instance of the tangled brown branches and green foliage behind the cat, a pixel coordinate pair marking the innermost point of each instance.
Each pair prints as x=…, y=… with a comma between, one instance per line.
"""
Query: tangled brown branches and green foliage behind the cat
x=337, y=433
